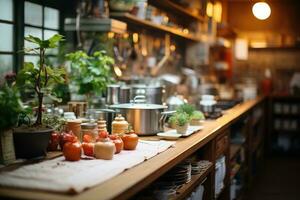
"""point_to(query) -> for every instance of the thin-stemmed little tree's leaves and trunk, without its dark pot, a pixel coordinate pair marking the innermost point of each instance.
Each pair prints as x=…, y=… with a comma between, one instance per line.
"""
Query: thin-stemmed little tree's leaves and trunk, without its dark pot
x=41, y=77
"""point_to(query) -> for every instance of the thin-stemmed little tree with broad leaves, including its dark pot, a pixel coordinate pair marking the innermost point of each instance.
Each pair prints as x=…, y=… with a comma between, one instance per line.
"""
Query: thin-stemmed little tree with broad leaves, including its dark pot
x=32, y=140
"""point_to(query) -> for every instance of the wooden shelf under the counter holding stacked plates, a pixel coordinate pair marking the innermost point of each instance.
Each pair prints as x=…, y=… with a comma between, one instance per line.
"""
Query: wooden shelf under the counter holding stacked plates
x=189, y=187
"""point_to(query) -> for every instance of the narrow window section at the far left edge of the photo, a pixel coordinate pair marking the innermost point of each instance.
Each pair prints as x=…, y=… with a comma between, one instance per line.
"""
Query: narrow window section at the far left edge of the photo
x=6, y=37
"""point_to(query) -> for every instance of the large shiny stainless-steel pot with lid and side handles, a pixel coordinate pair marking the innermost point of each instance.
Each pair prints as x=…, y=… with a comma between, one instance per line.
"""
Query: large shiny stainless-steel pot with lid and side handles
x=146, y=119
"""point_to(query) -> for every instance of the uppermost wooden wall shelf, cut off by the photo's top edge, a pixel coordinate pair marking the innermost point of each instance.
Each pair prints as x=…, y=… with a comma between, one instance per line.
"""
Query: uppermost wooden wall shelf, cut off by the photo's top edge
x=169, y=6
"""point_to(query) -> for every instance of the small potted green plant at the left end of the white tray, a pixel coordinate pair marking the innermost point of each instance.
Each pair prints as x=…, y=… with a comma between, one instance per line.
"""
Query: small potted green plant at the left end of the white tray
x=180, y=121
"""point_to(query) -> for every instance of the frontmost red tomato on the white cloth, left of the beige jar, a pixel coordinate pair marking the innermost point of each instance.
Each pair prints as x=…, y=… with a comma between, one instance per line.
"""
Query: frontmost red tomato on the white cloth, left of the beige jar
x=72, y=151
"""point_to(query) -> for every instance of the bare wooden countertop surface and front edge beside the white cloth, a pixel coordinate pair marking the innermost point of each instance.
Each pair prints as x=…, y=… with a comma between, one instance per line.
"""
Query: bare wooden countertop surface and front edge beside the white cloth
x=135, y=179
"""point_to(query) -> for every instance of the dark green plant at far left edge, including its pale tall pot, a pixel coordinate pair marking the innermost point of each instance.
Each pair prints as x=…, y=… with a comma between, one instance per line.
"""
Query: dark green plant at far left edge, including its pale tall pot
x=10, y=106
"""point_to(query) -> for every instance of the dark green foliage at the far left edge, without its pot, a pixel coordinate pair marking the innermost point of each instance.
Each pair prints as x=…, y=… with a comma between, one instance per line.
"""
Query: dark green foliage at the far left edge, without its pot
x=10, y=106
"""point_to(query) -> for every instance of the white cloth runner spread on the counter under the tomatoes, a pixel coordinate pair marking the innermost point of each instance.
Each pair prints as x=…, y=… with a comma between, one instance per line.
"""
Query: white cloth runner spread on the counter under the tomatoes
x=58, y=175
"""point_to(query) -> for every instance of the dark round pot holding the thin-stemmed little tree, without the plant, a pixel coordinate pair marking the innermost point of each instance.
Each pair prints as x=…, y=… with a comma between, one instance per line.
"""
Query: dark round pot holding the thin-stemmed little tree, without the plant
x=31, y=143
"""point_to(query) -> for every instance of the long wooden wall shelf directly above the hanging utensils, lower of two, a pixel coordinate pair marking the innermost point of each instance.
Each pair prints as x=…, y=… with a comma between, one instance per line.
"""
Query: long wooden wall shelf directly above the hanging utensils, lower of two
x=133, y=20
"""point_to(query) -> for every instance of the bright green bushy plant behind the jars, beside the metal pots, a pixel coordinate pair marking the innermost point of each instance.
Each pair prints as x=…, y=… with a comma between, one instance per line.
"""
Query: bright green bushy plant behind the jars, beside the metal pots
x=91, y=74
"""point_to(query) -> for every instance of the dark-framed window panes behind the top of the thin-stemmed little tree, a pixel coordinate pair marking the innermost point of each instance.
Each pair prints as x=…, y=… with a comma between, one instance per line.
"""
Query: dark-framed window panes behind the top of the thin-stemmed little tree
x=40, y=21
